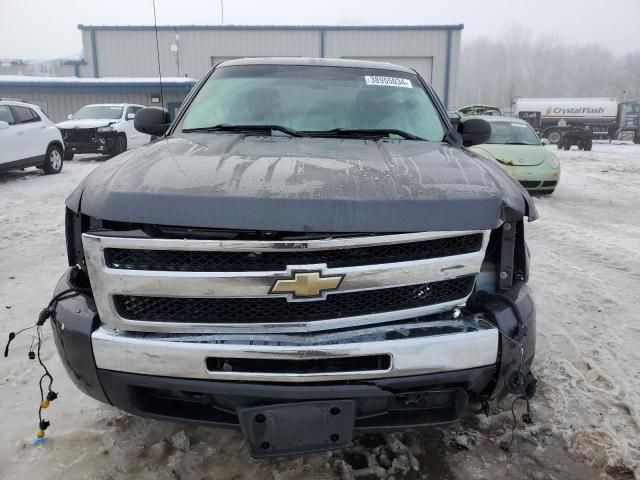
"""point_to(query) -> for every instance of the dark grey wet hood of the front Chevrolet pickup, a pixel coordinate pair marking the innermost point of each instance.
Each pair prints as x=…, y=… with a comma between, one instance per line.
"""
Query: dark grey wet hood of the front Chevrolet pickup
x=229, y=181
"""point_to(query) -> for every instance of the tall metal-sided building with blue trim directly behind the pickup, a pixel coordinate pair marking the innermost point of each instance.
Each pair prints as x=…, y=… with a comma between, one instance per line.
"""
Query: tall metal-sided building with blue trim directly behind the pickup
x=130, y=51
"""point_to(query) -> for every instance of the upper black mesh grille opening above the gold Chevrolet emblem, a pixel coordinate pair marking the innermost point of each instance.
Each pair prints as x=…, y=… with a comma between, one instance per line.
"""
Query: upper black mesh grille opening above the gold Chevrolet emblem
x=228, y=261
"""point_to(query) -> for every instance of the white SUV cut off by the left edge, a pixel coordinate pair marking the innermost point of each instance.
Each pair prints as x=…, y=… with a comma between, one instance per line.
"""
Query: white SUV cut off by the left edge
x=28, y=138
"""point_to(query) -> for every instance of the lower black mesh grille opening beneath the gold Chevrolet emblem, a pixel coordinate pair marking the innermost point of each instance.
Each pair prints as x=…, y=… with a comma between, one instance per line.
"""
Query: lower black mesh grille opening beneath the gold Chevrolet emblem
x=278, y=310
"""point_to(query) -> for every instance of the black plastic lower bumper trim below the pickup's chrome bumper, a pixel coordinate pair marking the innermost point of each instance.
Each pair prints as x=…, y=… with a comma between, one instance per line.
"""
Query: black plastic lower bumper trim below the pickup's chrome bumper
x=380, y=403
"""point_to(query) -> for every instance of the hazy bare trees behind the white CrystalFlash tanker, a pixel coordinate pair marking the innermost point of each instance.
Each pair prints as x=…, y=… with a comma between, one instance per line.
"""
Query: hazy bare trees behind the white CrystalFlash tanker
x=517, y=64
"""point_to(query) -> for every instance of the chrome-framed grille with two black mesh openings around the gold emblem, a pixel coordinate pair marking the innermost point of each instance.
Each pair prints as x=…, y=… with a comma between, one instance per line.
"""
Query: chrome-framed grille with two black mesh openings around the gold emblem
x=385, y=278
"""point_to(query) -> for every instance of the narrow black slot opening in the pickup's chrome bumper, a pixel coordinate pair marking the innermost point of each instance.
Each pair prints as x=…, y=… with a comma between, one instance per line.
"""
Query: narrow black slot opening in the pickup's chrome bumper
x=298, y=366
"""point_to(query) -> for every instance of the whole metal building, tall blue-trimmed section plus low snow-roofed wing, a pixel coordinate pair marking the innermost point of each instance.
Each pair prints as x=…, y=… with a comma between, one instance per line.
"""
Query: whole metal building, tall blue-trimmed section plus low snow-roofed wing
x=120, y=63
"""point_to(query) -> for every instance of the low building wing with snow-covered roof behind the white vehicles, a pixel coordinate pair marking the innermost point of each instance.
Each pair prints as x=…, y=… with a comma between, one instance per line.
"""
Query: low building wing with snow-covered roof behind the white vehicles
x=60, y=96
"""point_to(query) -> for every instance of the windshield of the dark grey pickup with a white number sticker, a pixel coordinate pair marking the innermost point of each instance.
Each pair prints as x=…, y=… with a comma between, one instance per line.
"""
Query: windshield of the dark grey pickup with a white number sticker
x=313, y=99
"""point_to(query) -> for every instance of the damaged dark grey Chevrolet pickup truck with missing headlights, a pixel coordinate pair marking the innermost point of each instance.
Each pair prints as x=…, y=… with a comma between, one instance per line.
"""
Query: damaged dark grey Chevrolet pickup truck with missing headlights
x=308, y=251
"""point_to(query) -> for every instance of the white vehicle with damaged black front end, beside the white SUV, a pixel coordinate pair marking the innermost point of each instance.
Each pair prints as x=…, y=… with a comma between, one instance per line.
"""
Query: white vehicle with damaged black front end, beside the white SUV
x=105, y=128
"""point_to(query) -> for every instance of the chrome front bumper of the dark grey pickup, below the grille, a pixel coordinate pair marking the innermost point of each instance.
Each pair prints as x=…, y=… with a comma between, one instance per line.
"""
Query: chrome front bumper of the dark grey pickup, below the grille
x=420, y=349
